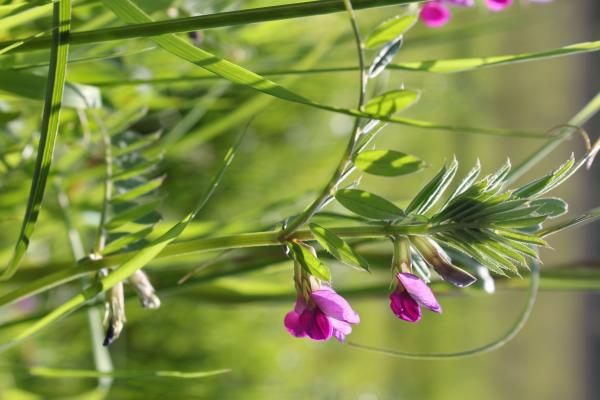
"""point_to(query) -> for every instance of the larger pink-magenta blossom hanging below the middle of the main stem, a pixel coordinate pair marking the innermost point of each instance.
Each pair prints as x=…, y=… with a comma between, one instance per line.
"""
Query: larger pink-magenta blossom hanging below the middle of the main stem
x=326, y=314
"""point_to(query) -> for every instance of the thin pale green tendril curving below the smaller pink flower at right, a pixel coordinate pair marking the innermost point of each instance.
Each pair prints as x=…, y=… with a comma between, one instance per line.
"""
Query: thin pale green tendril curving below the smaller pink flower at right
x=496, y=344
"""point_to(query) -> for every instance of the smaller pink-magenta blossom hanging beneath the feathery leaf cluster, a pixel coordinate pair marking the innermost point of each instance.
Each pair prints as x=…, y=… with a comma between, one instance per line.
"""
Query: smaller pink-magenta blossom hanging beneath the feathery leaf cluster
x=410, y=295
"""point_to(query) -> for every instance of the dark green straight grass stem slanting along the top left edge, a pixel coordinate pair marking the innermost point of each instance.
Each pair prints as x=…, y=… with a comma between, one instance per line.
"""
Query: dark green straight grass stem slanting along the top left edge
x=232, y=18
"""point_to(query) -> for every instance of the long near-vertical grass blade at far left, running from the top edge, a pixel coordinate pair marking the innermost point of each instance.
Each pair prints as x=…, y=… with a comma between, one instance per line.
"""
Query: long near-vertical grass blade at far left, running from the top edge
x=49, y=130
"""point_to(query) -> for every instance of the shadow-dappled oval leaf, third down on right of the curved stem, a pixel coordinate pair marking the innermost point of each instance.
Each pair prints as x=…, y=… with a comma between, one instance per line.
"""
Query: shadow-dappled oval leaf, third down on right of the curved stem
x=388, y=163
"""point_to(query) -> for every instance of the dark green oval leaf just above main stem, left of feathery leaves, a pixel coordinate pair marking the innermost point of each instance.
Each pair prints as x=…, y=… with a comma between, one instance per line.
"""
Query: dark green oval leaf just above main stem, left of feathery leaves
x=368, y=205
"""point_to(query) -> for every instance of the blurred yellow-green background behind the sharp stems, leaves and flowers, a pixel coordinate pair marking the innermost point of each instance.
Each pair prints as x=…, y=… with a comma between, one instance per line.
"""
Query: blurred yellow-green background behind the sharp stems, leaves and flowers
x=289, y=152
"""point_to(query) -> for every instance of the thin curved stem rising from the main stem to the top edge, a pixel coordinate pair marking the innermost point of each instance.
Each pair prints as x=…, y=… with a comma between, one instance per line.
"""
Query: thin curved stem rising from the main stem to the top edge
x=344, y=164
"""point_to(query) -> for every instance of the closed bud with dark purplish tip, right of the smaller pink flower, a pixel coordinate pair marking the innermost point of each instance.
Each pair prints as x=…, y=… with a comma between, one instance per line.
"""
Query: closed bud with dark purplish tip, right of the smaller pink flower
x=437, y=258
